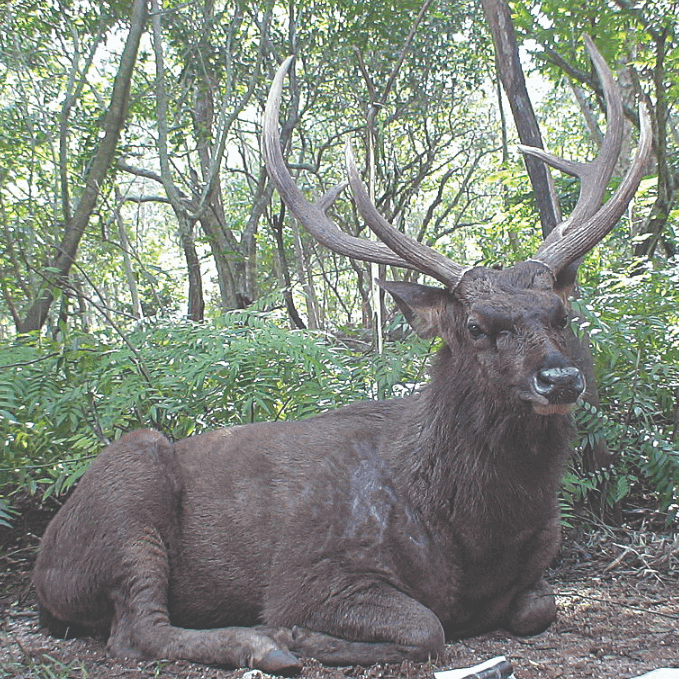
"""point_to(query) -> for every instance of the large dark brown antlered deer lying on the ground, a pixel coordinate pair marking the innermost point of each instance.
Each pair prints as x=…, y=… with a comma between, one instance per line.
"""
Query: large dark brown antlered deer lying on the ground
x=375, y=532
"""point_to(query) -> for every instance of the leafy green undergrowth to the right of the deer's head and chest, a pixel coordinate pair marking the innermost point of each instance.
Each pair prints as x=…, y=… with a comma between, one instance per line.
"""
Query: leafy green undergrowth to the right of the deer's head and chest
x=633, y=325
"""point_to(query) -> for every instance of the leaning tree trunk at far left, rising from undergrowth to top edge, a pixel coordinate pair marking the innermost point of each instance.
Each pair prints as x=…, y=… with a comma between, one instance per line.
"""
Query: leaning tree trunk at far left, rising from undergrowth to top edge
x=116, y=115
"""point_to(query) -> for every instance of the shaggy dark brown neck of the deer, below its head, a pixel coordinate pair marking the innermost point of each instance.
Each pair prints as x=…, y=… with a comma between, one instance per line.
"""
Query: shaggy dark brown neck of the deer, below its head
x=458, y=433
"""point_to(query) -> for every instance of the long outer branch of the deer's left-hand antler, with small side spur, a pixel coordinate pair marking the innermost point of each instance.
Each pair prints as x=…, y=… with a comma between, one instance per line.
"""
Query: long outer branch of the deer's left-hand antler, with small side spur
x=312, y=215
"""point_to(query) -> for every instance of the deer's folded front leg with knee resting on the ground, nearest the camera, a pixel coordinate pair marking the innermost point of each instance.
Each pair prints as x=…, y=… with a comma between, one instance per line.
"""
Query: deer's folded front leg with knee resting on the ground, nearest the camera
x=374, y=624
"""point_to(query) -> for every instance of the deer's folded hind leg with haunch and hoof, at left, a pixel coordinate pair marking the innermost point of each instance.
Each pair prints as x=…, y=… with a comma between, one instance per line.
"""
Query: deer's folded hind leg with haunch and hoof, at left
x=105, y=563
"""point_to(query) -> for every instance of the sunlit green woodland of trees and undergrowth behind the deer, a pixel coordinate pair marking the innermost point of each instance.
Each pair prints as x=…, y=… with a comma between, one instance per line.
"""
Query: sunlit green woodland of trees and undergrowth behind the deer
x=150, y=275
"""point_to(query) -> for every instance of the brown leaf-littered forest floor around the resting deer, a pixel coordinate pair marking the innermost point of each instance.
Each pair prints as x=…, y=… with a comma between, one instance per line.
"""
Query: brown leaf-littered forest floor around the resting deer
x=617, y=593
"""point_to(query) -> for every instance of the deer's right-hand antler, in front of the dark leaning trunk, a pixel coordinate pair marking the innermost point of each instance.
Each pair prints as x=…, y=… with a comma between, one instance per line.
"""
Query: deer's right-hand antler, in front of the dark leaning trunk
x=590, y=222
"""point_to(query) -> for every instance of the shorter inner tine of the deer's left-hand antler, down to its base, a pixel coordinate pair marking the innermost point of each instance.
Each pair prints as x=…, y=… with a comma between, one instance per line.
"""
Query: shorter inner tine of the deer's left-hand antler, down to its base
x=422, y=258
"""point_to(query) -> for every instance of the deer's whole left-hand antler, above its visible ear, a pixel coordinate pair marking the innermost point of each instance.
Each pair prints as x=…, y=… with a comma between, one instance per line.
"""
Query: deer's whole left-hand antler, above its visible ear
x=396, y=250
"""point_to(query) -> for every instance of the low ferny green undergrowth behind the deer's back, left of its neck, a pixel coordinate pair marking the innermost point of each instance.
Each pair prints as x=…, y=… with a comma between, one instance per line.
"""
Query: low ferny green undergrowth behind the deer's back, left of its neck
x=61, y=401
